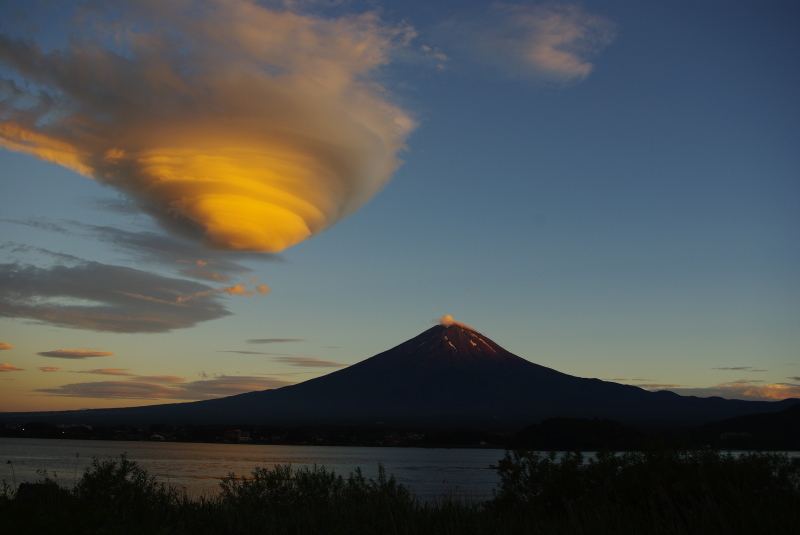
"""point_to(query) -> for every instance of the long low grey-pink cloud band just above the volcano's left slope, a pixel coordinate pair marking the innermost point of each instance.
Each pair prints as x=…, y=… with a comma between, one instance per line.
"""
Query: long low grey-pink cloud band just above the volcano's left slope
x=196, y=390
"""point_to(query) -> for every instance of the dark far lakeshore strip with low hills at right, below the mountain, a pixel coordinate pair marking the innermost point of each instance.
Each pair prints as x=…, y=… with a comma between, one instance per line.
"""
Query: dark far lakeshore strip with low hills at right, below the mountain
x=772, y=431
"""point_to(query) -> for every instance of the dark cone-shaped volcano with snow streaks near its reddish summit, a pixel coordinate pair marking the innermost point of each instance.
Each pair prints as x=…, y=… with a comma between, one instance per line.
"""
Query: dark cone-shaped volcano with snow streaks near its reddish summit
x=448, y=376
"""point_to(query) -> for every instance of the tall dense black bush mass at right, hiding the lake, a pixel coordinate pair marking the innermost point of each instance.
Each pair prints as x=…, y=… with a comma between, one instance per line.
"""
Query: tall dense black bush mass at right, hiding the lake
x=660, y=491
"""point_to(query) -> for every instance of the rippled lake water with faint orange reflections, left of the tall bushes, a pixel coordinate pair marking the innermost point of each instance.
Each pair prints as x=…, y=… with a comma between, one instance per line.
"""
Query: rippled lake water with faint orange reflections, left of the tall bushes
x=429, y=473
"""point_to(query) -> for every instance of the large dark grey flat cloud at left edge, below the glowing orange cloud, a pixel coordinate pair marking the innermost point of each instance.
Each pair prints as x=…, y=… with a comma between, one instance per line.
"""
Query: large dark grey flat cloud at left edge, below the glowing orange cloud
x=101, y=297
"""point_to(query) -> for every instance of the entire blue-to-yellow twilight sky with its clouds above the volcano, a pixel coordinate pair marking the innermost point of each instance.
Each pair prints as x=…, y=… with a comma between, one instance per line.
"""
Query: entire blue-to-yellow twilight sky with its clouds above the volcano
x=201, y=198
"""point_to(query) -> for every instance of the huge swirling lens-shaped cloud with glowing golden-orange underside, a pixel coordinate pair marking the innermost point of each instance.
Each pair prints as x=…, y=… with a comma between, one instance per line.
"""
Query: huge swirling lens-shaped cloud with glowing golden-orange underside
x=250, y=128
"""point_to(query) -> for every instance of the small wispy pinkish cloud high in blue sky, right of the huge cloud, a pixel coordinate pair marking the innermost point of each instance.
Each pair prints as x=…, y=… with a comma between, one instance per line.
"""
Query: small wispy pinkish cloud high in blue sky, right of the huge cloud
x=548, y=42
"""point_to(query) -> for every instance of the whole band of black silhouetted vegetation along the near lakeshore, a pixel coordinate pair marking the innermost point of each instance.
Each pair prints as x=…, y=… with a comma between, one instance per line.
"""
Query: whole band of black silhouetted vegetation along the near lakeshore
x=665, y=491
